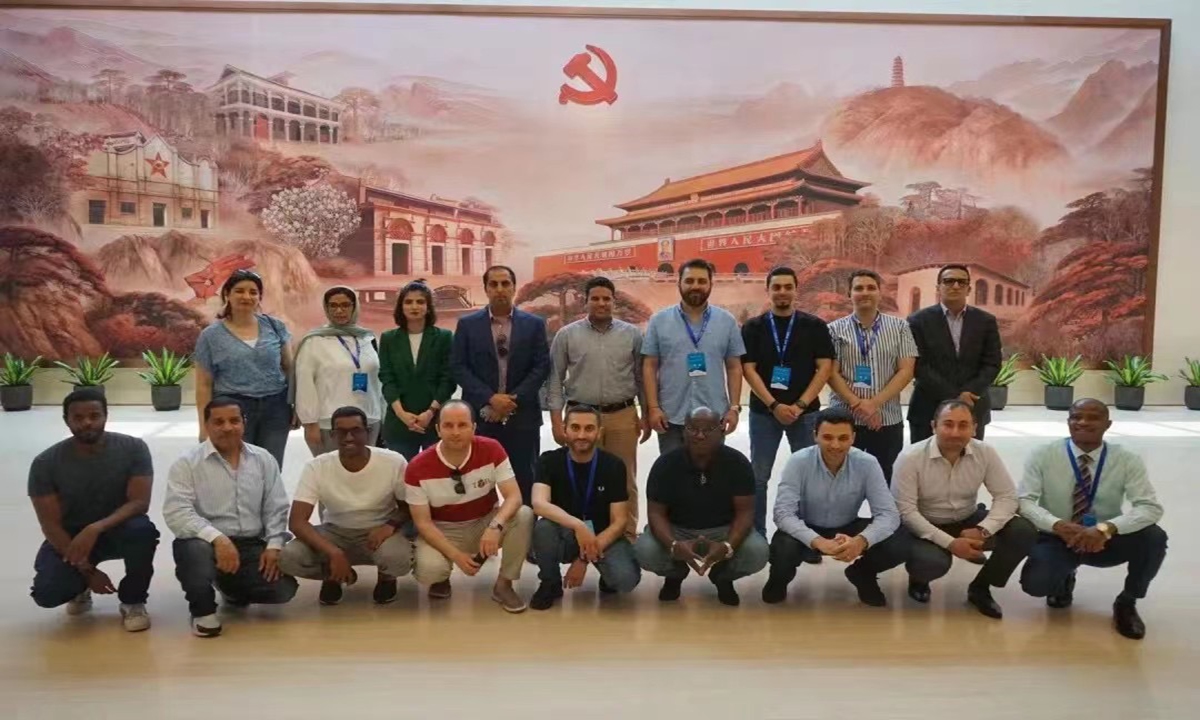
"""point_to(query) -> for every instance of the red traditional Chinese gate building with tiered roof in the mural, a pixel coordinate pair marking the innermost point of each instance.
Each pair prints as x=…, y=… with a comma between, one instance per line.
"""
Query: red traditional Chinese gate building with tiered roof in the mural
x=731, y=218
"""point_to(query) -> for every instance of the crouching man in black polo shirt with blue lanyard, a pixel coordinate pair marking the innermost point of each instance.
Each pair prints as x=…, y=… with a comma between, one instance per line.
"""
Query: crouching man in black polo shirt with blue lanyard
x=581, y=497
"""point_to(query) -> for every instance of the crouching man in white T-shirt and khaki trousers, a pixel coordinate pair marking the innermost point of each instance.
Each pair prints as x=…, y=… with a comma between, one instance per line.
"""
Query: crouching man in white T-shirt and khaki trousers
x=362, y=495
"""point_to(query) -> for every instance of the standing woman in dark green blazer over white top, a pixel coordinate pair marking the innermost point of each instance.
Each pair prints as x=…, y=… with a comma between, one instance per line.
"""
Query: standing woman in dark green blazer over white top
x=415, y=367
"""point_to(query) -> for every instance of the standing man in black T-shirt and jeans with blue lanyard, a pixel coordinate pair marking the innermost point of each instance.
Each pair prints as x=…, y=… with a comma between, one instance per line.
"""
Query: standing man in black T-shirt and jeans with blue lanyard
x=788, y=362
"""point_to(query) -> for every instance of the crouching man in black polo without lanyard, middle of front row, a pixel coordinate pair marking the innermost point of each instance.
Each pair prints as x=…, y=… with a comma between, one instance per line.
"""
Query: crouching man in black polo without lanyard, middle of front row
x=701, y=513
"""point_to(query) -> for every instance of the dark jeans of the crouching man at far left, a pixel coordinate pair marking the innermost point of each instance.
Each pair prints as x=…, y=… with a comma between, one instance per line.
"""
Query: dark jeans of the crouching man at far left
x=56, y=583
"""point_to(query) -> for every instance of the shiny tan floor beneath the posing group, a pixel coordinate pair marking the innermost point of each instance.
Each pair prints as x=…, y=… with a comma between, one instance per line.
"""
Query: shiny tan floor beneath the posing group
x=819, y=656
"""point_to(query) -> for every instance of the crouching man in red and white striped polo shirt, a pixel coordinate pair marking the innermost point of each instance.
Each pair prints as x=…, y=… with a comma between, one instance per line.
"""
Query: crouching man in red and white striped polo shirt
x=452, y=494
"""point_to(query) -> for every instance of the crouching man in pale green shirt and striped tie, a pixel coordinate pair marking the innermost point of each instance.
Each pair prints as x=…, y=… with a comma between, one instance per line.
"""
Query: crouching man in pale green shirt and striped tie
x=1075, y=493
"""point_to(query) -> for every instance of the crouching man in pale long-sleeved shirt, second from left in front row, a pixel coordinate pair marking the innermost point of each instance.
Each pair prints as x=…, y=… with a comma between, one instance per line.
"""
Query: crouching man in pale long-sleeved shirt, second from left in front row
x=230, y=513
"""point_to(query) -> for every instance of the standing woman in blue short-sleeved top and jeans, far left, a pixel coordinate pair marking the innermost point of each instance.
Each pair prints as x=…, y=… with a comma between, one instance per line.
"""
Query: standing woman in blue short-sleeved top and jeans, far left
x=245, y=356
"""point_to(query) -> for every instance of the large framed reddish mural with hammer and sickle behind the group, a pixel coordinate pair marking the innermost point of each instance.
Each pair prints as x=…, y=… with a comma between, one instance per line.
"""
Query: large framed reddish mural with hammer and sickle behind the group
x=1066, y=149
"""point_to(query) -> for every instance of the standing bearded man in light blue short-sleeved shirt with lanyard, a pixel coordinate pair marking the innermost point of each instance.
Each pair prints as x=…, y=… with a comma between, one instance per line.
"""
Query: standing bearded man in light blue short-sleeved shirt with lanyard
x=692, y=359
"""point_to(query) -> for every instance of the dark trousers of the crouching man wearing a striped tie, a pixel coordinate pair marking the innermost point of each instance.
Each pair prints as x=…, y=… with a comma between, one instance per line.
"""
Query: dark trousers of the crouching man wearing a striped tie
x=1052, y=562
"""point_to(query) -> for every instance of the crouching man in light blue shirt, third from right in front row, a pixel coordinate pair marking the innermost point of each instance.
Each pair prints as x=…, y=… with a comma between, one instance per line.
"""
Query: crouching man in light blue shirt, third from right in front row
x=817, y=513
